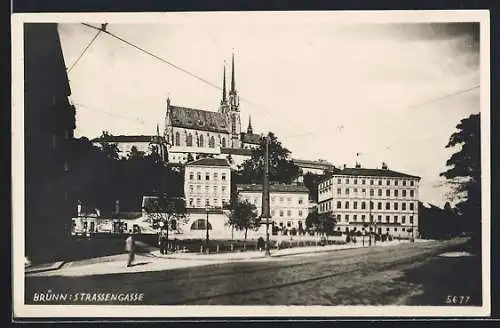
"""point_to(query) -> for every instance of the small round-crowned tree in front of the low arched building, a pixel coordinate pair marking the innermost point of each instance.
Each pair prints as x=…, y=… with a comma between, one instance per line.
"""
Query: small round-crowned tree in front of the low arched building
x=166, y=212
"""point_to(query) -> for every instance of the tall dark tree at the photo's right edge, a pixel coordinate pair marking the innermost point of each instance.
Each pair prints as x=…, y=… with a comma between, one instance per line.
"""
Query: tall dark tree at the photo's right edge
x=464, y=173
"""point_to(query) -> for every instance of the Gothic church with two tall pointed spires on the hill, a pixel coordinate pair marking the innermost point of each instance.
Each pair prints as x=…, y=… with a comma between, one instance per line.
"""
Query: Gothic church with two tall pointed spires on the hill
x=195, y=131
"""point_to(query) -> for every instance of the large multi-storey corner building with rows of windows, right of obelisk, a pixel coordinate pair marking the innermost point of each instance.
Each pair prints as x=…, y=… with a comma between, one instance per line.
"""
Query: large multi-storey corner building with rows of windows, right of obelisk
x=378, y=200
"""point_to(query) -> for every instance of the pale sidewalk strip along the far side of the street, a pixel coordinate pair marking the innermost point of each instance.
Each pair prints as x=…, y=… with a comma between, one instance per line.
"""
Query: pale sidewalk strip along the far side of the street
x=154, y=261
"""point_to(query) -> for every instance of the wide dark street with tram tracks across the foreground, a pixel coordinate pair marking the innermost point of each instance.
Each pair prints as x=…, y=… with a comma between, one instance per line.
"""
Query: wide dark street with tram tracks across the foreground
x=405, y=274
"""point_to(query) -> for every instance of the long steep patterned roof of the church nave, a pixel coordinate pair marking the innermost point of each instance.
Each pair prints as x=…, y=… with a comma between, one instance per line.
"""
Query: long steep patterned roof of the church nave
x=197, y=119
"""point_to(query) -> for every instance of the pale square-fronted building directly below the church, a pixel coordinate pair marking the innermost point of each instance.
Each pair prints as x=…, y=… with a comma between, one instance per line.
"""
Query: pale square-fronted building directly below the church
x=207, y=183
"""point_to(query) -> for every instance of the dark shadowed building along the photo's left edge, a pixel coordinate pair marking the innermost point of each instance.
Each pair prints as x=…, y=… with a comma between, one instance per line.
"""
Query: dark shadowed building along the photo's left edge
x=49, y=123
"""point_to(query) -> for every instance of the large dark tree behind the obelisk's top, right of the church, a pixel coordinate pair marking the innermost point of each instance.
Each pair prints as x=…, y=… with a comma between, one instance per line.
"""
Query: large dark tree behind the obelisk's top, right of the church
x=282, y=169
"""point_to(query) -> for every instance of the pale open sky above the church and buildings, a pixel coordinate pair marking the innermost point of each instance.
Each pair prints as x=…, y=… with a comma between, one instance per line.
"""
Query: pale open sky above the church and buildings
x=327, y=90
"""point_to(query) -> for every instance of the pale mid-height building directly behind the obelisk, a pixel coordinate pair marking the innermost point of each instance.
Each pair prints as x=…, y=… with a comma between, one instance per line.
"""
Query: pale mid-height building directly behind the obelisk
x=289, y=204
